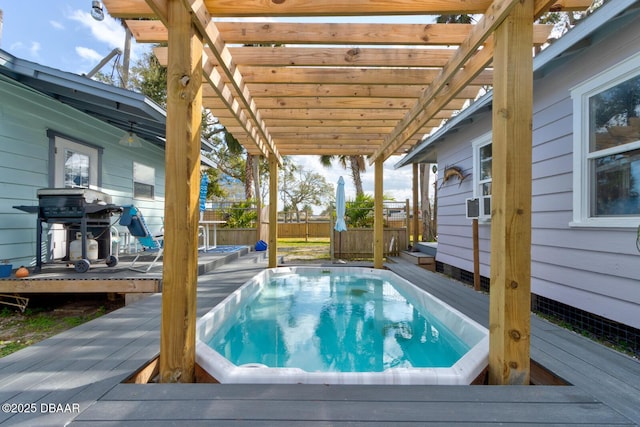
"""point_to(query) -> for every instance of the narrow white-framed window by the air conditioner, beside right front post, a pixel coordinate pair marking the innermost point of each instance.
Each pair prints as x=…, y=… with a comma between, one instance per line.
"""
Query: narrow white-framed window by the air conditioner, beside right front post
x=482, y=162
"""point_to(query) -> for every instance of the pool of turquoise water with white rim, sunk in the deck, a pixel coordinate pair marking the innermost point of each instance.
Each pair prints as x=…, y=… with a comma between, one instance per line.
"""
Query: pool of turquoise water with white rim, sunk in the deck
x=338, y=325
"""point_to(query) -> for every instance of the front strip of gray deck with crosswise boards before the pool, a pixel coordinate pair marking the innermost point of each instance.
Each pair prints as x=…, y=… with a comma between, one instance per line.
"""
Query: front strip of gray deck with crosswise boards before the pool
x=344, y=404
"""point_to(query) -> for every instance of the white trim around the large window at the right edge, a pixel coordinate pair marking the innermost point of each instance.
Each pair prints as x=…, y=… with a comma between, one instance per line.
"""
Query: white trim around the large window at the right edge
x=580, y=94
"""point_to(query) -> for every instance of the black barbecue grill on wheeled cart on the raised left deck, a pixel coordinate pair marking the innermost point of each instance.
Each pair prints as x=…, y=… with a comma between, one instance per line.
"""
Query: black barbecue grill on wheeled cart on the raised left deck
x=82, y=211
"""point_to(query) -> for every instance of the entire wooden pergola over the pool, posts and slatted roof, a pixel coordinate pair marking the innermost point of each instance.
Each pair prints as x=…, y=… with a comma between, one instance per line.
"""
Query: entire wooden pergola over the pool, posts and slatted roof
x=313, y=88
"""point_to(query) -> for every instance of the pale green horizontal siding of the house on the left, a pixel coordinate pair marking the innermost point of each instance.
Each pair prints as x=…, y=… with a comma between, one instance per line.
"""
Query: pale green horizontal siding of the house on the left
x=26, y=117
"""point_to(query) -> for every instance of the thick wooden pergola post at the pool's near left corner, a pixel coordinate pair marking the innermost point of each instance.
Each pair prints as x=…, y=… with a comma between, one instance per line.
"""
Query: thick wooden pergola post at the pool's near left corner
x=182, y=181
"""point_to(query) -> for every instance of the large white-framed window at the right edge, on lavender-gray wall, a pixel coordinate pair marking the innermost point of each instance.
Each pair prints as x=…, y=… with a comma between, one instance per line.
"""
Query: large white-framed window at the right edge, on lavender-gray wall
x=607, y=147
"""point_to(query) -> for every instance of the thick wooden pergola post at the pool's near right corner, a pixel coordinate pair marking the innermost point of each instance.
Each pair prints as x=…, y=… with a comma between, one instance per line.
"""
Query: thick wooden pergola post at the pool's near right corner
x=510, y=302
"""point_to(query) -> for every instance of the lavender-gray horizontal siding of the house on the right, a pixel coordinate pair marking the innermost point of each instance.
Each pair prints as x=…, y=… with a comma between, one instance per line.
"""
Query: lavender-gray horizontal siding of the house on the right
x=593, y=269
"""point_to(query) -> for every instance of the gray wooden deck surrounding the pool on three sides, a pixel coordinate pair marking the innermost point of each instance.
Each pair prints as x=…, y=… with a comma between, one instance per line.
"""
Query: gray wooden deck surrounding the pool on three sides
x=86, y=366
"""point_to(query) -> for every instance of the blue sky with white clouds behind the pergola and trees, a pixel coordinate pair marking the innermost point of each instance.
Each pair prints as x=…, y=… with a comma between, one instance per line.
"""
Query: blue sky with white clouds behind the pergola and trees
x=62, y=34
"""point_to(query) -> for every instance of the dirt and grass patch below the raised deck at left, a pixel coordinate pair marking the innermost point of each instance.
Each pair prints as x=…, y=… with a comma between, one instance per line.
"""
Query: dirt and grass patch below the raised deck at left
x=48, y=315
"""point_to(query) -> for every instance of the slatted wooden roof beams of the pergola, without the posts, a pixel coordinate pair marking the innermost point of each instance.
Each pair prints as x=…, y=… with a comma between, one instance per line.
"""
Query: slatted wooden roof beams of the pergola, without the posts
x=335, y=88
